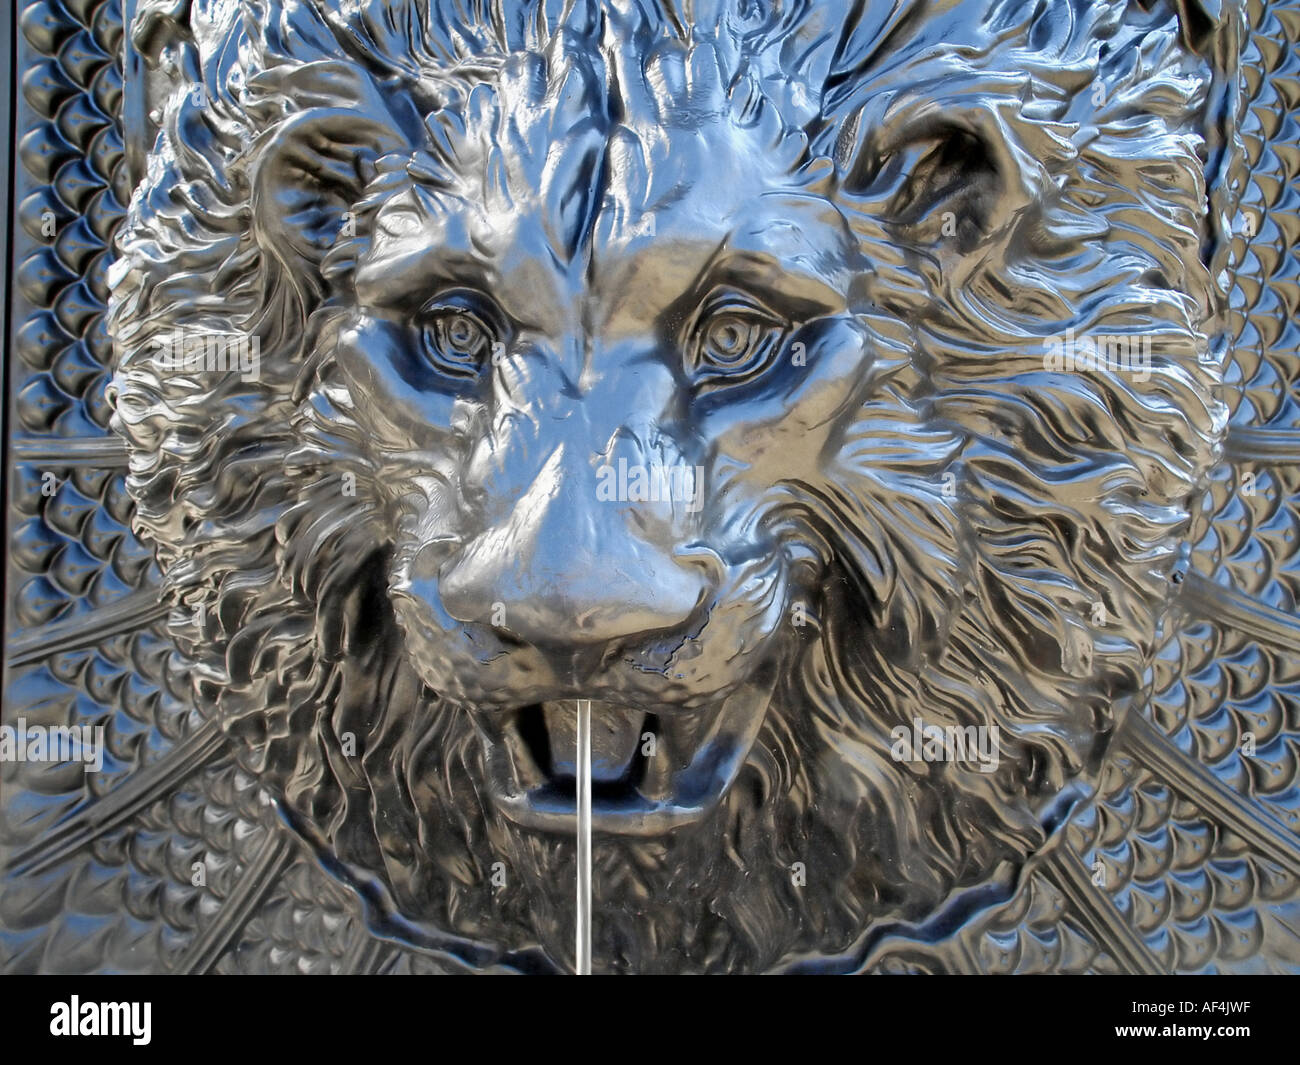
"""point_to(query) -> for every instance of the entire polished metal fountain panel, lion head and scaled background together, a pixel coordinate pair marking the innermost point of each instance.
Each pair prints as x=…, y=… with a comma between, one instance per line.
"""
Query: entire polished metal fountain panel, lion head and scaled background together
x=879, y=413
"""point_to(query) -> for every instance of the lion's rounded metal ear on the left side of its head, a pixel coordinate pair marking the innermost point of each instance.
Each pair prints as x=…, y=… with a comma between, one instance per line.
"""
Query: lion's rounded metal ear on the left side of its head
x=315, y=163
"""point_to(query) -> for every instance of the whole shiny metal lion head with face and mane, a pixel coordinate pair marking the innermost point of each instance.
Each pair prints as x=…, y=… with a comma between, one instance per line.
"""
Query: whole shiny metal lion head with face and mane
x=800, y=389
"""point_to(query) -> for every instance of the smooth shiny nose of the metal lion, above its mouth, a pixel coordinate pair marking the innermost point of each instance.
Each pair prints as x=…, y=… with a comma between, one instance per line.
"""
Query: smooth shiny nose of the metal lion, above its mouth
x=566, y=568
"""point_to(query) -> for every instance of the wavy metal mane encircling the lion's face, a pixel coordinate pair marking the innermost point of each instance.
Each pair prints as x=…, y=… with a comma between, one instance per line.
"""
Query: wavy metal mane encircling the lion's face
x=1045, y=510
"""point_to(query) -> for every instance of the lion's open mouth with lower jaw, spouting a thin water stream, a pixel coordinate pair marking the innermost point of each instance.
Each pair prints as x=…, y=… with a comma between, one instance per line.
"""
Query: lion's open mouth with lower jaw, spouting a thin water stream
x=651, y=772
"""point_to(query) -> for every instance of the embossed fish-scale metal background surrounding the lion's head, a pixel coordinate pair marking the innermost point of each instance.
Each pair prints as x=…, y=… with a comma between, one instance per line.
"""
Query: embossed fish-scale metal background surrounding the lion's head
x=1195, y=846
